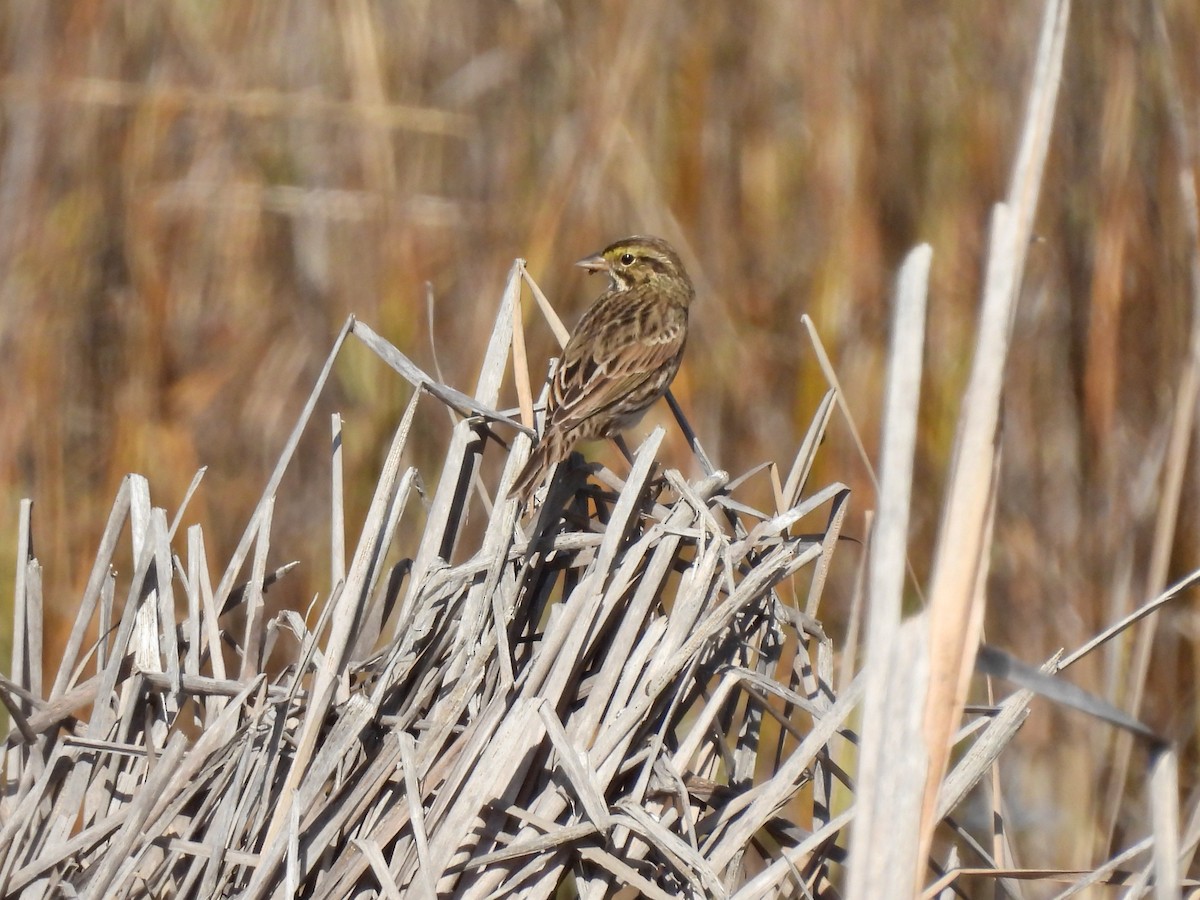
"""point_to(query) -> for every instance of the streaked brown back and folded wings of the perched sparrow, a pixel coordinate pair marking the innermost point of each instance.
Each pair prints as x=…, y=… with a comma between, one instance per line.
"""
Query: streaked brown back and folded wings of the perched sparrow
x=622, y=350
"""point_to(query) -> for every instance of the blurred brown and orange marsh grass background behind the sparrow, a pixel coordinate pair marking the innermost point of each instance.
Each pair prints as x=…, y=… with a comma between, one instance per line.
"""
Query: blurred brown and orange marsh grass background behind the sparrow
x=195, y=197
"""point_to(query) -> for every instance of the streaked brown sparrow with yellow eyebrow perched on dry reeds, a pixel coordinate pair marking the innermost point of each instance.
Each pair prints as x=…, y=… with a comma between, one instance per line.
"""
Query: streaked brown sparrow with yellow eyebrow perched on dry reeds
x=623, y=355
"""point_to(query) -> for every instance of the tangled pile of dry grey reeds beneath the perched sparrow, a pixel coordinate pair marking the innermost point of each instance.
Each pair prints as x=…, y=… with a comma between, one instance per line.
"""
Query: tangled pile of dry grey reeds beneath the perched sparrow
x=623, y=693
